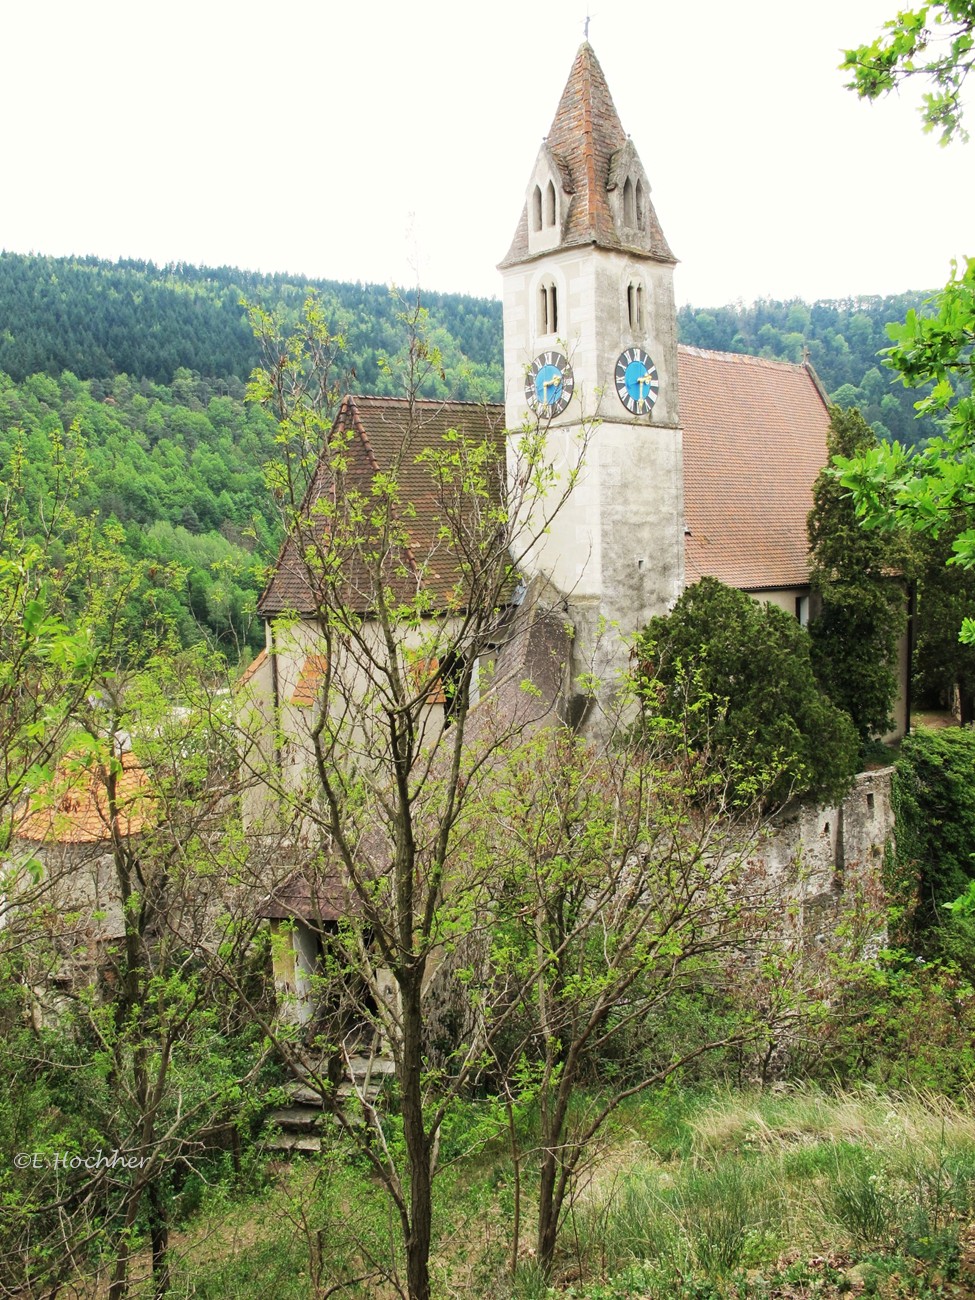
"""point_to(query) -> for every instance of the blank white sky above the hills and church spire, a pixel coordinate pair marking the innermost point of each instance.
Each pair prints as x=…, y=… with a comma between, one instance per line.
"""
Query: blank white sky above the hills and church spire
x=358, y=141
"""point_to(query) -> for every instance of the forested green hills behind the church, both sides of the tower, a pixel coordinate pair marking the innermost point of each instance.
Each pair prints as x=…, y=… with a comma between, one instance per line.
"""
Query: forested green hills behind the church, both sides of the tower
x=144, y=371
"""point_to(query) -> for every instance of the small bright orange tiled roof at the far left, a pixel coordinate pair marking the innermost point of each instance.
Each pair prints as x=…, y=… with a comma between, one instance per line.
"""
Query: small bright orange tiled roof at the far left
x=73, y=807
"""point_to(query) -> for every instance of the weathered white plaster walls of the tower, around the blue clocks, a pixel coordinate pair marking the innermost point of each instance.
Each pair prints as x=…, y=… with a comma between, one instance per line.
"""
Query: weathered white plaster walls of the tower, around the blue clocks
x=617, y=549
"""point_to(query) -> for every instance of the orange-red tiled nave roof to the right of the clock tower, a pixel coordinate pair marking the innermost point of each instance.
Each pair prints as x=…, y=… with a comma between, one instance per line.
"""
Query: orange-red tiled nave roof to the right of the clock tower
x=755, y=443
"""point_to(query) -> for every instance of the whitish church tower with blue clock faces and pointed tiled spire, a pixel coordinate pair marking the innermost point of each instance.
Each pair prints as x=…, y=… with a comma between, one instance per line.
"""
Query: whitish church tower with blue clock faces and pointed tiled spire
x=591, y=349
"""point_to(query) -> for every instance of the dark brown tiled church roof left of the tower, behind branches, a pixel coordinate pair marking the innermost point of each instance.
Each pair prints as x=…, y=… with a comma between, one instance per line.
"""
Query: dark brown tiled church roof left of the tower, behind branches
x=380, y=436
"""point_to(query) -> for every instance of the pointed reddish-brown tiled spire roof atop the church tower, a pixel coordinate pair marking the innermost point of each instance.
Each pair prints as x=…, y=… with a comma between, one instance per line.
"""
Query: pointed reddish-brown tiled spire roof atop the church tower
x=586, y=142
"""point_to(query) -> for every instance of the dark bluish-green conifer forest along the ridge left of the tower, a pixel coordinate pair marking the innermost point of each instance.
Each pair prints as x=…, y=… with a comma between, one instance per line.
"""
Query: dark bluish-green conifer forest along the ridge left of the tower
x=102, y=319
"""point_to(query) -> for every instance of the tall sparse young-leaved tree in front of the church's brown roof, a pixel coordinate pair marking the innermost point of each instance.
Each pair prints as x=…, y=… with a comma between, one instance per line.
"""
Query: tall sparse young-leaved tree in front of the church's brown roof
x=379, y=790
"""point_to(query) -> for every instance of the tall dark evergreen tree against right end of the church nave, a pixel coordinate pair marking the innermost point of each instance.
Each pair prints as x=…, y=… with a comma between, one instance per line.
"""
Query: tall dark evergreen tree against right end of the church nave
x=863, y=612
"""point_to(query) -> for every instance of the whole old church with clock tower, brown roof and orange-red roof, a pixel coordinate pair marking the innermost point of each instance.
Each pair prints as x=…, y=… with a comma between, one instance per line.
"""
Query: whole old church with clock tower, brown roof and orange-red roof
x=682, y=463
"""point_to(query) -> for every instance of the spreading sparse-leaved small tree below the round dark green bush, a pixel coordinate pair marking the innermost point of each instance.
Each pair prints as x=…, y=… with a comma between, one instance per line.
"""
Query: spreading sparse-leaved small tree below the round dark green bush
x=625, y=879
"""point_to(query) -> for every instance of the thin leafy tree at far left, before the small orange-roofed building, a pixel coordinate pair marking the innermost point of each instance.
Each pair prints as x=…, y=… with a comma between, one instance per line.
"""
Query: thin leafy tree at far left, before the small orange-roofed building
x=166, y=1069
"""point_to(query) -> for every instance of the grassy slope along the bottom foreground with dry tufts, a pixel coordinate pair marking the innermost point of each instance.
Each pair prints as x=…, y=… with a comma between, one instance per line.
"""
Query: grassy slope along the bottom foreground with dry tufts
x=730, y=1195
